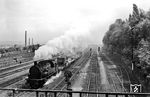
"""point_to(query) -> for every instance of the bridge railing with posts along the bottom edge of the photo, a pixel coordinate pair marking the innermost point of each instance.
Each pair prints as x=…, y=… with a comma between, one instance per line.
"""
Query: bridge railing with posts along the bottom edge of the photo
x=57, y=93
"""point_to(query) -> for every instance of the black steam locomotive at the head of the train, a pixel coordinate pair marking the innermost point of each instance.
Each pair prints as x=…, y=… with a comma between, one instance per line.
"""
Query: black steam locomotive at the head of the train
x=40, y=72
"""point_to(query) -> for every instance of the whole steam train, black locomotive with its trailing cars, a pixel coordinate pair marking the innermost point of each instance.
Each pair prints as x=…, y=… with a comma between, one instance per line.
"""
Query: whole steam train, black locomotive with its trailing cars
x=42, y=70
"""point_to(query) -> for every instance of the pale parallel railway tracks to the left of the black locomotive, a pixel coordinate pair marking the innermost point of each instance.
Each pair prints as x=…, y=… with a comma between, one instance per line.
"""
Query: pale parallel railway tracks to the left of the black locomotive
x=12, y=74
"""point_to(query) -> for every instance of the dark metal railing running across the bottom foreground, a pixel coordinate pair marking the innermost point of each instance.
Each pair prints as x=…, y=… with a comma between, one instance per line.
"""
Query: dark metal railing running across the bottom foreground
x=70, y=93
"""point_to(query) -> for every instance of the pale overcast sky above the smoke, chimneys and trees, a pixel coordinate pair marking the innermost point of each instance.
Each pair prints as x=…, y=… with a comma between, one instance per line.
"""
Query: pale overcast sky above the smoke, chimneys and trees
x=48, y=19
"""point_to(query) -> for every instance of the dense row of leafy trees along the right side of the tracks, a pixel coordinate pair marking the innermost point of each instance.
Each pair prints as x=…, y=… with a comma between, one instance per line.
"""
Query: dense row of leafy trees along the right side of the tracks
x=130, y=38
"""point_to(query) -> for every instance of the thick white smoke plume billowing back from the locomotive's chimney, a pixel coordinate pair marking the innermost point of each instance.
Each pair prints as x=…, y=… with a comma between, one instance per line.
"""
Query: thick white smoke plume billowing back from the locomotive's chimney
x=77, y=37
